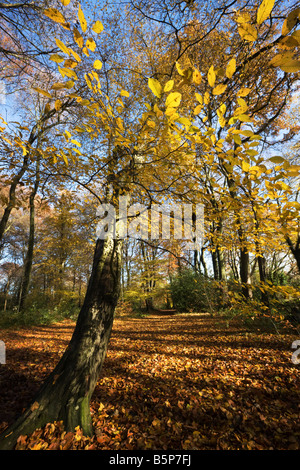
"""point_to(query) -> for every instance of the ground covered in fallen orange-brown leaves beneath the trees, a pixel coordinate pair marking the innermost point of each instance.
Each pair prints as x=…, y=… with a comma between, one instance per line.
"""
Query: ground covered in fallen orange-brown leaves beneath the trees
x=169, y=382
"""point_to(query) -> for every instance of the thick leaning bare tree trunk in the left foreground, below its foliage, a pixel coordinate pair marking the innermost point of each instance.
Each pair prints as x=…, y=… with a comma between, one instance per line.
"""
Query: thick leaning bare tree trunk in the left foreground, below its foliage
x=66, y=393
